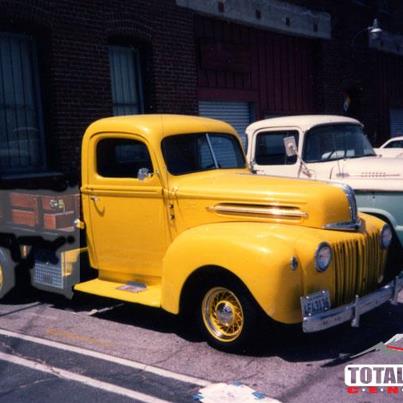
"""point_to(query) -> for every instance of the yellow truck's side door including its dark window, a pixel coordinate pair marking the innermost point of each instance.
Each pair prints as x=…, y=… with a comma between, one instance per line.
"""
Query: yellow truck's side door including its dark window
x=129, y=227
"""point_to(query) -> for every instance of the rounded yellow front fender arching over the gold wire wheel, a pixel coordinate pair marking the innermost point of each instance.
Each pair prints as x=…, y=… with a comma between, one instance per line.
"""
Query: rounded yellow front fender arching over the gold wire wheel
x=259, y=254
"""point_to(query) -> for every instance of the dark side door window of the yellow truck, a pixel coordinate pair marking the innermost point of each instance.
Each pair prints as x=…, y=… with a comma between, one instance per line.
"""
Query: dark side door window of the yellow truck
x=122, y=158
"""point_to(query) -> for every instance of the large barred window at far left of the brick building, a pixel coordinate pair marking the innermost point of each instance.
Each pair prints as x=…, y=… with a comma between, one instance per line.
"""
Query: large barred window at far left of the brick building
x=21, y=130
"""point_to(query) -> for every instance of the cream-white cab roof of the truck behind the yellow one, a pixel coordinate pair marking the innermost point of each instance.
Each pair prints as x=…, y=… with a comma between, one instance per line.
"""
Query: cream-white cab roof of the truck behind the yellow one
x=304, y=122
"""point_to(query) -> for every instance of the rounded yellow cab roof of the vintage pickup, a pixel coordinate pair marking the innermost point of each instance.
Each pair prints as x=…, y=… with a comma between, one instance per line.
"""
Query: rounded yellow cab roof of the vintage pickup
x=155, y=127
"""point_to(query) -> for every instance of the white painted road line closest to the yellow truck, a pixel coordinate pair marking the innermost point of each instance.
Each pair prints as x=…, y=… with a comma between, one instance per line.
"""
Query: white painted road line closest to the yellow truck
x=121, y=361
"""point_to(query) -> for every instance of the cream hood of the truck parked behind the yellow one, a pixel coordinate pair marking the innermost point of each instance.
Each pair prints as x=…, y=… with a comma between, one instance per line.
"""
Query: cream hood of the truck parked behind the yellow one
x=370, y=173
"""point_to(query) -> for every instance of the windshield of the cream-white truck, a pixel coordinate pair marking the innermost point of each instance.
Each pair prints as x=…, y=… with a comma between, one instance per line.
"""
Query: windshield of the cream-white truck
x=332, y=142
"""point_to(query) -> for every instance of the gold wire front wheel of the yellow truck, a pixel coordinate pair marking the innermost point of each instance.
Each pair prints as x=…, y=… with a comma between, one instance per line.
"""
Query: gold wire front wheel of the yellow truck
x=222, y=314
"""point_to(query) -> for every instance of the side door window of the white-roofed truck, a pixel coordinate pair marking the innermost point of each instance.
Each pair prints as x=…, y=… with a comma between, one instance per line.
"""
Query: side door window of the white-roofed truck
x=270, y=148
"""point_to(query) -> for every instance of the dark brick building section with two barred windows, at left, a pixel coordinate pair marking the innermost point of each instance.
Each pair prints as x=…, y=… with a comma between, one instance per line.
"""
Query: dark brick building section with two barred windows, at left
x=59, y=60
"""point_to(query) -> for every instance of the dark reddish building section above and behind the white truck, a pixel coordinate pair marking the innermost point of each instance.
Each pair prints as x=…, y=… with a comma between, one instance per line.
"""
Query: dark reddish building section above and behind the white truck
x=302, y=57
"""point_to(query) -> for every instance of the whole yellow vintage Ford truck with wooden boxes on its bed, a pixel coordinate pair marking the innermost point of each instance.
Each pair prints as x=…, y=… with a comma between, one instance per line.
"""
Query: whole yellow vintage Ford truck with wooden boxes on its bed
x=173, y=218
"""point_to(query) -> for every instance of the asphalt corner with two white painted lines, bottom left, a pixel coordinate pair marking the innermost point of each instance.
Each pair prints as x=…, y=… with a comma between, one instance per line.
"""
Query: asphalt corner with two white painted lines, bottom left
x=34, y=369
